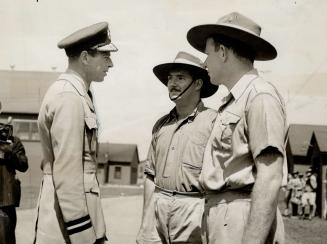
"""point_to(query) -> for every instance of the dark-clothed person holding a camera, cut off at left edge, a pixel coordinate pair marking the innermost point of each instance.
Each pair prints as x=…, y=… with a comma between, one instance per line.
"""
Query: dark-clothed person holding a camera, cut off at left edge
x=12, y=158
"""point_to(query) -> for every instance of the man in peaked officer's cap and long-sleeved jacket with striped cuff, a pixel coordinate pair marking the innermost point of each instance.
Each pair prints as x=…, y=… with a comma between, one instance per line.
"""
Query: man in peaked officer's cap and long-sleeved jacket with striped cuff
x=69, y=206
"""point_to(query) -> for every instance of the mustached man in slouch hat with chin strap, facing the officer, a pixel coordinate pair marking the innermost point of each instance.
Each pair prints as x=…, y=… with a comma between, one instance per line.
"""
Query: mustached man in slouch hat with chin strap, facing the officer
x=173, y=198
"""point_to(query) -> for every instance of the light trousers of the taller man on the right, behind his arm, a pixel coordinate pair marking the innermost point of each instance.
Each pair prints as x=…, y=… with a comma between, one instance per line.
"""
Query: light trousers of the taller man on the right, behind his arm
x=226, y=215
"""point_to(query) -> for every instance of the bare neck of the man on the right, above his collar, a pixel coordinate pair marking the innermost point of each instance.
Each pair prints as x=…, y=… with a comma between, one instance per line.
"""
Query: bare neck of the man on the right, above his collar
x=236, y=72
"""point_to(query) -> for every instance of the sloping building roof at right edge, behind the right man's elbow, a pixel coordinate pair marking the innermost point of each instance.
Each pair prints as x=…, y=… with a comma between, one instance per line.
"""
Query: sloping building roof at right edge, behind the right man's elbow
x=300, y=136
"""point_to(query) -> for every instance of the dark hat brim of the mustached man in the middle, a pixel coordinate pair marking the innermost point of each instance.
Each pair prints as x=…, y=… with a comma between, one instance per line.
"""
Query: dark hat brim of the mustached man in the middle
x=162, y=72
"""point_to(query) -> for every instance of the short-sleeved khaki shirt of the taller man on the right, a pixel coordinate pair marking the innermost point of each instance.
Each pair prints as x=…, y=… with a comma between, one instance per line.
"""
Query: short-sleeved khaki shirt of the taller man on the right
x=251, y=119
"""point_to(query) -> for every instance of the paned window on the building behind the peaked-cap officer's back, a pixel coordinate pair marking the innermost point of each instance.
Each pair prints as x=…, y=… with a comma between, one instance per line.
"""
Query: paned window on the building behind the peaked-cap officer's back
x=26, y=129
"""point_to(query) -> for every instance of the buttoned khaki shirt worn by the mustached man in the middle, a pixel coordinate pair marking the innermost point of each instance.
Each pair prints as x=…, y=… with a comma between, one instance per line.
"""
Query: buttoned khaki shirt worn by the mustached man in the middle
x=176, y=152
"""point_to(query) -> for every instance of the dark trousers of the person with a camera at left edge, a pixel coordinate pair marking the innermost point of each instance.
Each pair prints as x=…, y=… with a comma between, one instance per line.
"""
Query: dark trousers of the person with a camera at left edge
x=8, y=222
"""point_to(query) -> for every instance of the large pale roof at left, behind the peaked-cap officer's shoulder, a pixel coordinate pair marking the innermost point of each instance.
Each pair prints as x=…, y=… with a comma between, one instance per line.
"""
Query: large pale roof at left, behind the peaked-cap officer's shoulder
x=23, y=91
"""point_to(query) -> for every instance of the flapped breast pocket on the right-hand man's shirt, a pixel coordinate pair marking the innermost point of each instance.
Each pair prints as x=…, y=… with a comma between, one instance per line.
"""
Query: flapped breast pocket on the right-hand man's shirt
x=229, y=124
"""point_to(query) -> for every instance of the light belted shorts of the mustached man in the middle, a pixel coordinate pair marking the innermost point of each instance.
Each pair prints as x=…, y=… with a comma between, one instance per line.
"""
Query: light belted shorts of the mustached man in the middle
x=178, y=218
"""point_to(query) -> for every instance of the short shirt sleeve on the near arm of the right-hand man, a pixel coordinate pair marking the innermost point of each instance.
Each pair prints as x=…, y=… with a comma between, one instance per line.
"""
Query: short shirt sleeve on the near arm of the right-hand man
x=266, y=124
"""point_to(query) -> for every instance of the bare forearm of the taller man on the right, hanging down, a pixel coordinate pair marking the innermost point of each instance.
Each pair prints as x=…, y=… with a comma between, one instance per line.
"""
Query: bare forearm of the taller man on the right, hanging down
x=264, y=202
